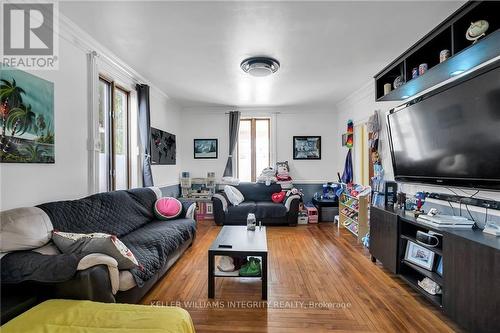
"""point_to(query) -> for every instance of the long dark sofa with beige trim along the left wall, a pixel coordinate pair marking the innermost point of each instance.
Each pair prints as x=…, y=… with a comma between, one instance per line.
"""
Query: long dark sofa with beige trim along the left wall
x=127, y=214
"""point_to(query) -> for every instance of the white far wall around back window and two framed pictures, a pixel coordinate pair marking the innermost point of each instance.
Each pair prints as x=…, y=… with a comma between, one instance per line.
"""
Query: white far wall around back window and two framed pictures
x=209, y=123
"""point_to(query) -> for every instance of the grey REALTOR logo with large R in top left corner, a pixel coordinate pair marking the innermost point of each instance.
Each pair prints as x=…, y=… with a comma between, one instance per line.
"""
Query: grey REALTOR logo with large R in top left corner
x=29, y=35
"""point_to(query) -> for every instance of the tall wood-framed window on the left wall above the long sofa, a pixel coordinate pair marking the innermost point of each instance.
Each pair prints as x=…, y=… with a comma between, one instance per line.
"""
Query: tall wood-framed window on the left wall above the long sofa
x=114, y=164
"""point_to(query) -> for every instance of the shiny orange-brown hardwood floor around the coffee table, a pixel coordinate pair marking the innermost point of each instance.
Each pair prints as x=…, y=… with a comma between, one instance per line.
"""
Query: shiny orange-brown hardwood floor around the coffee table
x=319, y=281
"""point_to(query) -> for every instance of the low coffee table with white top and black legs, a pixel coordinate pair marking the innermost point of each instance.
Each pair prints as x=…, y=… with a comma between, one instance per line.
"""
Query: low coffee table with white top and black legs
x=239, y=242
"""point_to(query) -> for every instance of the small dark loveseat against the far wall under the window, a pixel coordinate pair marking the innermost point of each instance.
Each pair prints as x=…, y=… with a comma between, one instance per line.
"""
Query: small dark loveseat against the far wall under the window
x=258, y=201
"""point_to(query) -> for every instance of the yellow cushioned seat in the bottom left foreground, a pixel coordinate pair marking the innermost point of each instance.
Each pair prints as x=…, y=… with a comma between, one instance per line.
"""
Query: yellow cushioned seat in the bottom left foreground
x=61, y=316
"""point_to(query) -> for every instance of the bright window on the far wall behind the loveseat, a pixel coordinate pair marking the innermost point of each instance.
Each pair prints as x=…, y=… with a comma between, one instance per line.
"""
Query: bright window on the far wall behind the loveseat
x=253, y=148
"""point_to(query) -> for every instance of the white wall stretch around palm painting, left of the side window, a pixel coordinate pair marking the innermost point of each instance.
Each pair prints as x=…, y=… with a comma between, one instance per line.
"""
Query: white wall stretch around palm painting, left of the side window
x=30, y=184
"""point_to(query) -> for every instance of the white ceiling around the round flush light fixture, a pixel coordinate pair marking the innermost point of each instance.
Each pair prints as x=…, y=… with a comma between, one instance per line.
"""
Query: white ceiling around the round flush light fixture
x=192, y=50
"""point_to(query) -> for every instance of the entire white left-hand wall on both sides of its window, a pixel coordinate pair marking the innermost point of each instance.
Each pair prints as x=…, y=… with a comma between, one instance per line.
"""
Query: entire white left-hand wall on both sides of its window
x=31, y=184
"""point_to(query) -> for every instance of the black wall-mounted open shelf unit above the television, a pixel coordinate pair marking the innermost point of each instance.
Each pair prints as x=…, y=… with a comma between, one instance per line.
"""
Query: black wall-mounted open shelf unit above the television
x=450, y=35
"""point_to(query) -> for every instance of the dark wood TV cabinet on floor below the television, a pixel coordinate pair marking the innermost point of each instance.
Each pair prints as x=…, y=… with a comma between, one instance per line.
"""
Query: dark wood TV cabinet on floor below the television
x=471, y=267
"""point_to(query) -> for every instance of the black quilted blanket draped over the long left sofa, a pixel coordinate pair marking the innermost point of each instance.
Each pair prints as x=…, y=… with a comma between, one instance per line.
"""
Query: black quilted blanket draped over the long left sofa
x=130, y=216
